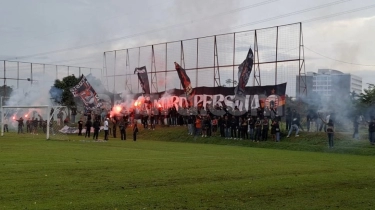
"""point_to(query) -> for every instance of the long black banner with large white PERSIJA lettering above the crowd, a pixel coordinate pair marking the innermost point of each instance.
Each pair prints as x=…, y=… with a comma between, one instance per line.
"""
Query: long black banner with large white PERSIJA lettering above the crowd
x=268, y=98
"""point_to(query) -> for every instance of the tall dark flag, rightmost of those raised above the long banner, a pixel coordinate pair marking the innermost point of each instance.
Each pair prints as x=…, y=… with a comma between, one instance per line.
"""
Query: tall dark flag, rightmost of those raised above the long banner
x=244, y=71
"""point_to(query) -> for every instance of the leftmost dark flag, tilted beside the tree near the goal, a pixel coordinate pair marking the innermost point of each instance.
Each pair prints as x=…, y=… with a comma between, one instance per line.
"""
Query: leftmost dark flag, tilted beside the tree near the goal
x=87, y=94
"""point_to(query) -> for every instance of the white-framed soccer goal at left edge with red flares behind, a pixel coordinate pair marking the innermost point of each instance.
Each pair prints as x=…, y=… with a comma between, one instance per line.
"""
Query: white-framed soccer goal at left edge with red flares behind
x=33, y=120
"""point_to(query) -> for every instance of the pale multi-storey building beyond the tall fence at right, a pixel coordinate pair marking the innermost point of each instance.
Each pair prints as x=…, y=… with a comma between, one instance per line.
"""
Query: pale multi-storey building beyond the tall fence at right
x=329, y=83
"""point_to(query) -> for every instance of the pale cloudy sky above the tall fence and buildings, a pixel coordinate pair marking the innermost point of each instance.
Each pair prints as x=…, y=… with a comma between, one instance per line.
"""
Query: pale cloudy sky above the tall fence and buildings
x=337, y=34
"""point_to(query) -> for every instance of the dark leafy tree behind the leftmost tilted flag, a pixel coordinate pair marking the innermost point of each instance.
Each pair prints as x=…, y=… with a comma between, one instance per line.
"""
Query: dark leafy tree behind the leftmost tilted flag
x=67, y=98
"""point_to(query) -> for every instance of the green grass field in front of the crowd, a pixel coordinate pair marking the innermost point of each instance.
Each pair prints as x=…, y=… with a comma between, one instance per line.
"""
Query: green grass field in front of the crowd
x=166, y=169
